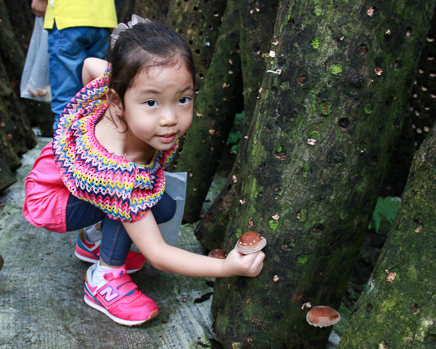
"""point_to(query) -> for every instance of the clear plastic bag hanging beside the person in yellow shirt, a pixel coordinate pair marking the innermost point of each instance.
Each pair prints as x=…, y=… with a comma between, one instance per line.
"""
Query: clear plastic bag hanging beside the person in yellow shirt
x=34, y=81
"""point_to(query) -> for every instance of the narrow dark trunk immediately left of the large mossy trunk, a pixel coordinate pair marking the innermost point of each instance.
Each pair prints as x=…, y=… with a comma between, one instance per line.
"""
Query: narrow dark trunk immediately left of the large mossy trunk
x=255, y=37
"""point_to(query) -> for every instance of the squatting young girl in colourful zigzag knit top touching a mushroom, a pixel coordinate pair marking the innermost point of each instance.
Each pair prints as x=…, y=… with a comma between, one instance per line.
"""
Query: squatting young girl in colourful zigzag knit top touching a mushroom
x=106, y=164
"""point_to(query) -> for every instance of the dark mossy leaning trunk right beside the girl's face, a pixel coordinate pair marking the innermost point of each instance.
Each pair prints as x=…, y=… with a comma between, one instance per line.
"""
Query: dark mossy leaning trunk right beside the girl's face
x=219, y=99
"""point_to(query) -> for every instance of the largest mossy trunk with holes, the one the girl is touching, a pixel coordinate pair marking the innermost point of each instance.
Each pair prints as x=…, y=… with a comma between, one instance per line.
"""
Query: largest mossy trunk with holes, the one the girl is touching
x=328, y=116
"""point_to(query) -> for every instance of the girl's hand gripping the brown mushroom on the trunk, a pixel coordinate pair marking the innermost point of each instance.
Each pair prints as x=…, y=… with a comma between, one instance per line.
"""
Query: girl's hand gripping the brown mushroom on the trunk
x=237, y=264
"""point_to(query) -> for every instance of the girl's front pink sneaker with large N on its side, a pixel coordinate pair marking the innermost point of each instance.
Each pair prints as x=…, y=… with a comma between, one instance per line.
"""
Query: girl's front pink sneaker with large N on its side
x=118, y=298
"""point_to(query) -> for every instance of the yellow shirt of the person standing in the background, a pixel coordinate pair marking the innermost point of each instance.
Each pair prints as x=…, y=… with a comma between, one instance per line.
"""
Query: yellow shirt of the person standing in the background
x=80, y=13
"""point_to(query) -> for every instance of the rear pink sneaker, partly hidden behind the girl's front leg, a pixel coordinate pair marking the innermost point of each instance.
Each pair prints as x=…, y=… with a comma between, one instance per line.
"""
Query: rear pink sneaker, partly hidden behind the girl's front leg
x=90, y=252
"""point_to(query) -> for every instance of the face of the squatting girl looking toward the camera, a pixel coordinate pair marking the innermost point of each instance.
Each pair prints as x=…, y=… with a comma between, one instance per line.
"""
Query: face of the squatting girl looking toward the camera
x=158, y=107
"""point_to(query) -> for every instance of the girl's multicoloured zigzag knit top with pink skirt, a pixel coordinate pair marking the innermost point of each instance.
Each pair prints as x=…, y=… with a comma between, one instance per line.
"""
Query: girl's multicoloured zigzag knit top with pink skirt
x=75, y=162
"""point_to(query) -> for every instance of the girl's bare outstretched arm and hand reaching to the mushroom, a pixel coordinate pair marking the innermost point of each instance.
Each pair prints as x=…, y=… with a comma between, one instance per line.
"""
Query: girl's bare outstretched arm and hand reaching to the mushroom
x=147, y=237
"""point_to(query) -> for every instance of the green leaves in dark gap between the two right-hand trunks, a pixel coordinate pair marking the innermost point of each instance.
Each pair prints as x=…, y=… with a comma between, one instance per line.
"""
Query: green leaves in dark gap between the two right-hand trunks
x=384, y=213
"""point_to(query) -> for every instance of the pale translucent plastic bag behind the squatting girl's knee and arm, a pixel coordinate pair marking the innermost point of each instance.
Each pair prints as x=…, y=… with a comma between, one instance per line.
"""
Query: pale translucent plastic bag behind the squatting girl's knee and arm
x=176, y=188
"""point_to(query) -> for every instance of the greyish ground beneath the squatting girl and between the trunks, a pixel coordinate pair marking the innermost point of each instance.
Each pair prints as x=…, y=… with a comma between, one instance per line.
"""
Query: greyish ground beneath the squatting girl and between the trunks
x=41, y=289
